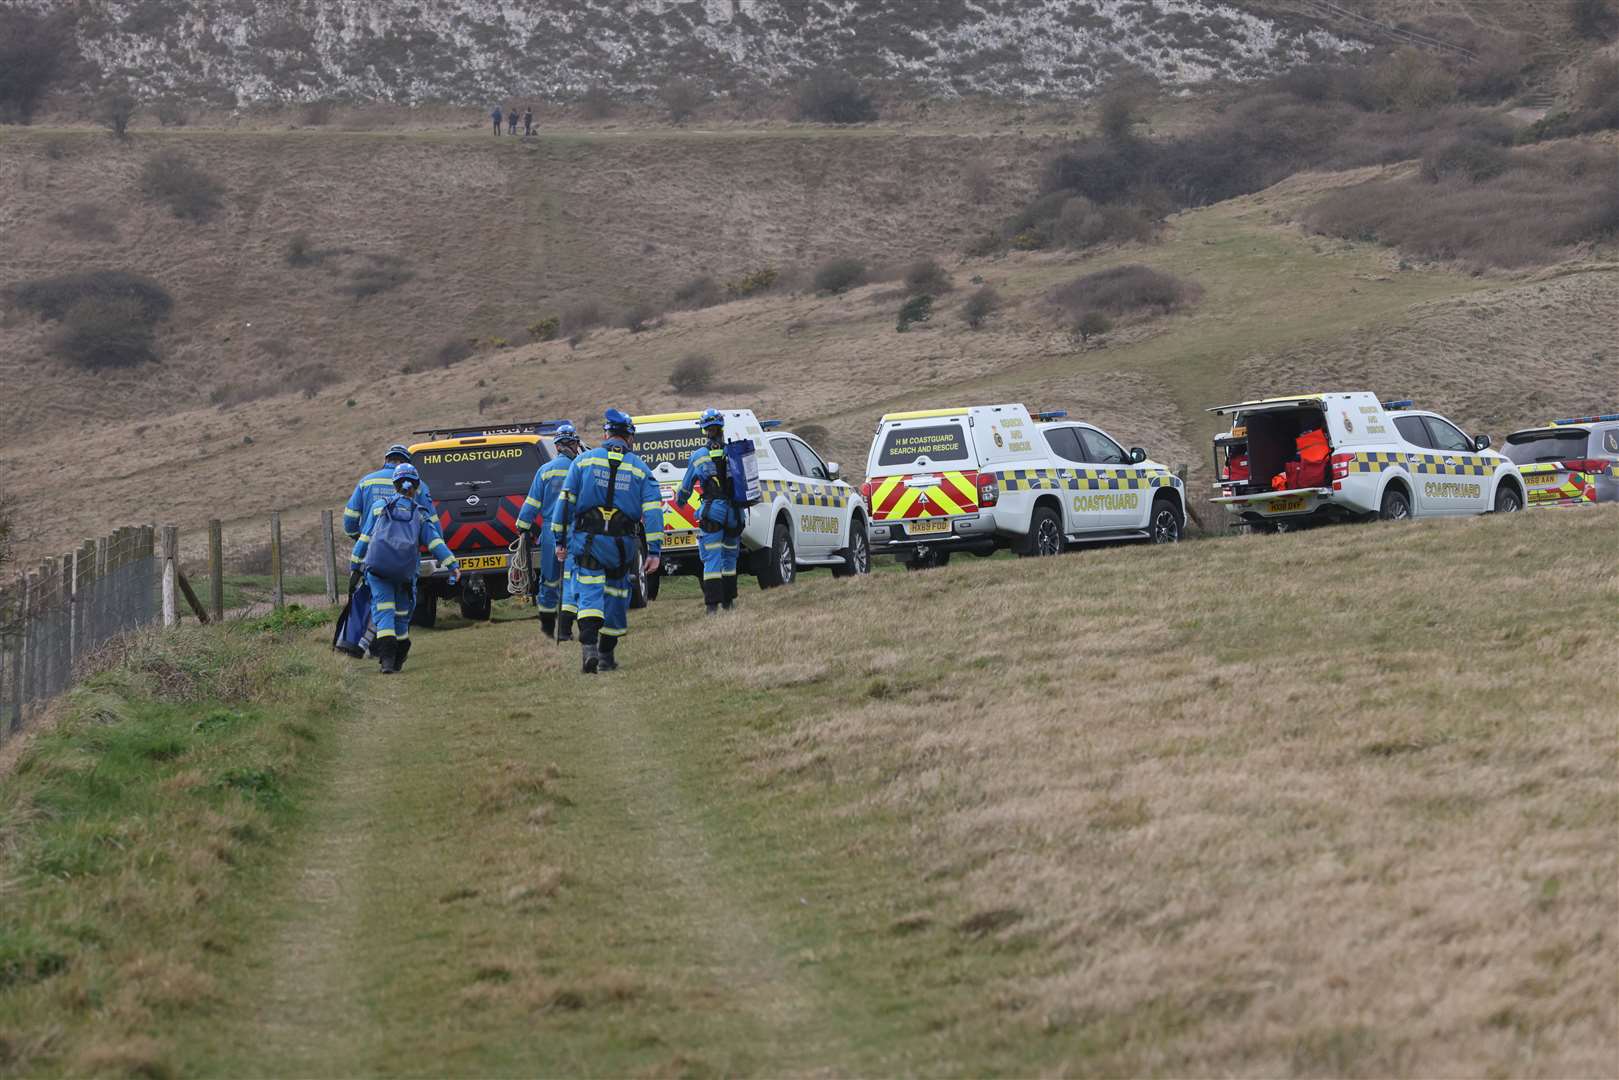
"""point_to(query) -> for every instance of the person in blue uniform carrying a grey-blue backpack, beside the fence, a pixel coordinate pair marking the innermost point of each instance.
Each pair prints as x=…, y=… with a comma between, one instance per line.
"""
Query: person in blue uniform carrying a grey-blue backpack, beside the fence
x=397, y=529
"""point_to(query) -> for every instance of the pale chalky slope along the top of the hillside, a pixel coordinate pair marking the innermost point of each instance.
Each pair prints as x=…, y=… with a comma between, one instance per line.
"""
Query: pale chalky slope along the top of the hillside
x=469, y=51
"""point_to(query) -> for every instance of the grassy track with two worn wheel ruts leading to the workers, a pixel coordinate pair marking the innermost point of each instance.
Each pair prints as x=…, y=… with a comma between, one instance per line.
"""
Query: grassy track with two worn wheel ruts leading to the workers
x=485, y=887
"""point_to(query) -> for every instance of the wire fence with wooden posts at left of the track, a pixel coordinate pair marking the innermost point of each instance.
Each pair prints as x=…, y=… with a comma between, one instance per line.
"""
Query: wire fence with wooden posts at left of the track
x=59, y=616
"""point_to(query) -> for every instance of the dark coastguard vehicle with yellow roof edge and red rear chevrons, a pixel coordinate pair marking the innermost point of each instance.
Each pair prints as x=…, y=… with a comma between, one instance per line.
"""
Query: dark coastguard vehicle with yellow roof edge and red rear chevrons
x=478, y=478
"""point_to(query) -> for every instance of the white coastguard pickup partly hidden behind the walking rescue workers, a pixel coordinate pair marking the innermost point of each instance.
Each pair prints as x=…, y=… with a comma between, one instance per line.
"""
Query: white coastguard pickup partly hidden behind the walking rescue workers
x=807, y=517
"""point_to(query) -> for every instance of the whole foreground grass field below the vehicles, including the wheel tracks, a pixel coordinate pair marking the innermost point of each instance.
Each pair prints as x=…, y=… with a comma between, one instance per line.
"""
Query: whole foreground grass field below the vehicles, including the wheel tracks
x=1333, y=804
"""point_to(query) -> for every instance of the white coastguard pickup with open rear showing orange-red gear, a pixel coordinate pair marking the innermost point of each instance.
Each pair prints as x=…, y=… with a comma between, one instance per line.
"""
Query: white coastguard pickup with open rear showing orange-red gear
x=1349, y=457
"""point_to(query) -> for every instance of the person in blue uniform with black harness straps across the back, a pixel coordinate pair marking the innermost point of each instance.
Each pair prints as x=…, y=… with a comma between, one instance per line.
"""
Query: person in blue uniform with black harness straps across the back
x=608, y=503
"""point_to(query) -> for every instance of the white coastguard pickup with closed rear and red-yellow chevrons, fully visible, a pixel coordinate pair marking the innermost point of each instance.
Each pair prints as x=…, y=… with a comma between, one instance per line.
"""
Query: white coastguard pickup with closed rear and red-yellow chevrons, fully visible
x=987, y=477
